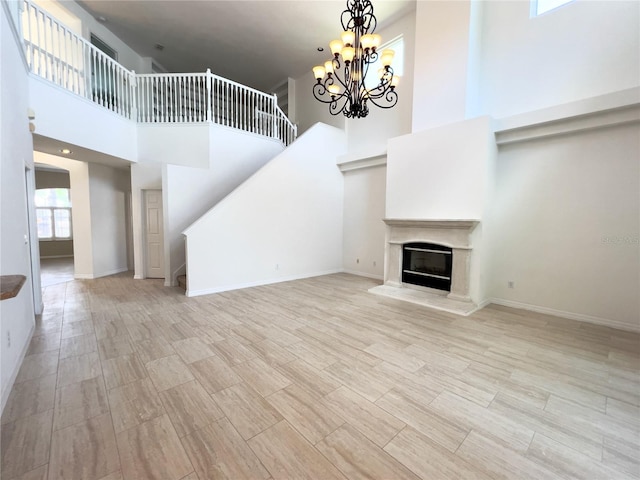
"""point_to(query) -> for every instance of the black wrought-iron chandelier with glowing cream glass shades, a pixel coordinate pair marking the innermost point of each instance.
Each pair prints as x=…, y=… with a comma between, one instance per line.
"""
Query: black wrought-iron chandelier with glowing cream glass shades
x=342, y=81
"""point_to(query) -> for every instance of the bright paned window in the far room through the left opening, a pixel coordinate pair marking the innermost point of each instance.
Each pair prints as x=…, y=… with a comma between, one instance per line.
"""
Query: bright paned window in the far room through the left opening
x=53, y=213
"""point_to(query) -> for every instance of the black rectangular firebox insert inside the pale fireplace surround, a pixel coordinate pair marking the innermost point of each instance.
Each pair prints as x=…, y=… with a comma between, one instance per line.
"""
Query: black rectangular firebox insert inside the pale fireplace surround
x=427, y=265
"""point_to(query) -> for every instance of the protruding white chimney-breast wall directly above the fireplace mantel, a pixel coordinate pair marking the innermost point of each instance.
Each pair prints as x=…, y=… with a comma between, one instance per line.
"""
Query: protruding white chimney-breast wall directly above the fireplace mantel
x=441, y=173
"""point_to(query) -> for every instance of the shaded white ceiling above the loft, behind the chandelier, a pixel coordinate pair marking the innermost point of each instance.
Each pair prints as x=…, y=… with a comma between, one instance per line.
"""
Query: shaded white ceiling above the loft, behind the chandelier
x=257, y=43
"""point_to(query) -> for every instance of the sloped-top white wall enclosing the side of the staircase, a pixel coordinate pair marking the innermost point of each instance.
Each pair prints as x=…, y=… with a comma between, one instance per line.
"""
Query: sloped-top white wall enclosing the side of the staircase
x=284, y=222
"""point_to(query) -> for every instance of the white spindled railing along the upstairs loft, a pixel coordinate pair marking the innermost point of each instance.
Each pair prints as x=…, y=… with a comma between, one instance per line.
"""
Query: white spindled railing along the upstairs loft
x=57, y=54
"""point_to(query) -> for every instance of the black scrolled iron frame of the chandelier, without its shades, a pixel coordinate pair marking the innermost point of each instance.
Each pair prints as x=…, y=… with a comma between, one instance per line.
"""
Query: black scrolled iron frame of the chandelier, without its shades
x=353, y=97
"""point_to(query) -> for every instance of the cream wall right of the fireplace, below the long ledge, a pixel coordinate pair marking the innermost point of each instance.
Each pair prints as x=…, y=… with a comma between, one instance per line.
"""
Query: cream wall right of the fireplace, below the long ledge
x=565, y=226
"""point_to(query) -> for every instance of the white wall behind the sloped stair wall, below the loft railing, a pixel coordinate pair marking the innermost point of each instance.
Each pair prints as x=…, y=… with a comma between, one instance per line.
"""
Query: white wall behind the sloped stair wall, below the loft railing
x=191, y=192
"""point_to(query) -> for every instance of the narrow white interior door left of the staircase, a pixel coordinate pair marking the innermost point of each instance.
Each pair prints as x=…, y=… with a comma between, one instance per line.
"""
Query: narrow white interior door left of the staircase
x=154, y=234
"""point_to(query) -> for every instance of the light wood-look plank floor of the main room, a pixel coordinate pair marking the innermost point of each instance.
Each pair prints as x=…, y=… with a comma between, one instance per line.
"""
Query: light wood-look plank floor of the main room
x=314, y=379
